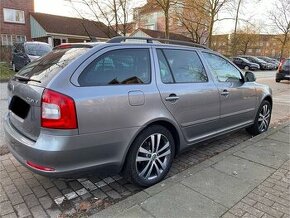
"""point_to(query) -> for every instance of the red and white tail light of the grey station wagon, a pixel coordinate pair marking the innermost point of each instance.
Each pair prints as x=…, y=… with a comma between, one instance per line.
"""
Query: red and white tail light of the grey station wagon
x=57, y=111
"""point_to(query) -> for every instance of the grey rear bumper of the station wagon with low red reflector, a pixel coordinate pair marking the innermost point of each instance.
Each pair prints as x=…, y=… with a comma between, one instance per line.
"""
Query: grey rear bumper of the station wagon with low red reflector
x=70, y=156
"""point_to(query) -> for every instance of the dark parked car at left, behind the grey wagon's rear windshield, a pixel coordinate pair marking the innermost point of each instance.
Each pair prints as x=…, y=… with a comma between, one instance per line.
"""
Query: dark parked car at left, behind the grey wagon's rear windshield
x=25, y=52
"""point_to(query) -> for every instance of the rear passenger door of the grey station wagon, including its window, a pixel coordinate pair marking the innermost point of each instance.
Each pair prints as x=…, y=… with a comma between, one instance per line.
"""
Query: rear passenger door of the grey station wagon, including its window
x=187, y=92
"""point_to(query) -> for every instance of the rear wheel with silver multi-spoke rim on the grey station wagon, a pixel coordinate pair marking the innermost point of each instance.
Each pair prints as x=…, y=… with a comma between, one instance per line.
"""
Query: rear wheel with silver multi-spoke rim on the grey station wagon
x=150, y=156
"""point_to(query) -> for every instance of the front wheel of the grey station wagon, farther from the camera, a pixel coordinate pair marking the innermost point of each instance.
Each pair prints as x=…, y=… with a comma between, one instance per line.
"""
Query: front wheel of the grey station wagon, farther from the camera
x=262, y=119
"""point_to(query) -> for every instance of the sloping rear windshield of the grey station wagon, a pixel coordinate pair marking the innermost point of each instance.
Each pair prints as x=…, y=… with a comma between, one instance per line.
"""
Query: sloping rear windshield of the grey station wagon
x=45, y=68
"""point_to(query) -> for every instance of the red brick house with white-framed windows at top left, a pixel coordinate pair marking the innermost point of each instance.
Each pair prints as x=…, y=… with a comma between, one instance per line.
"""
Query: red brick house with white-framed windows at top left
x=14, y=23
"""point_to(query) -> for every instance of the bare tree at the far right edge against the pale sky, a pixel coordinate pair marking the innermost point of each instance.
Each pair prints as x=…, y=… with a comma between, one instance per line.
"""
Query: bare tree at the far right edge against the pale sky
x=280, y=17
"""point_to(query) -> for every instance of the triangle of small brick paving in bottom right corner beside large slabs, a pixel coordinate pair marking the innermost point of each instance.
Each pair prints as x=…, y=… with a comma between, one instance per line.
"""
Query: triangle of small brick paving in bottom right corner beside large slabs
x=268, y=200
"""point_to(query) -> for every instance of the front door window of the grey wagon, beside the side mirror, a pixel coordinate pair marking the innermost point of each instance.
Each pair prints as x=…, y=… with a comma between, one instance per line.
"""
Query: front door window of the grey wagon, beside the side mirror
x=222, y=69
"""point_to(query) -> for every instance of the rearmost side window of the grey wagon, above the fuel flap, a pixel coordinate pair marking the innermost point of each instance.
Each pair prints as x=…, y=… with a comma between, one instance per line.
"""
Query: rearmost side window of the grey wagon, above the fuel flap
x=118, y=67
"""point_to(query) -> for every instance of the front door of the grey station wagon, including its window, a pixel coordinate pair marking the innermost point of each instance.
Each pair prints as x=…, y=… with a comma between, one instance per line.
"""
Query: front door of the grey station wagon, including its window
x=237, y=97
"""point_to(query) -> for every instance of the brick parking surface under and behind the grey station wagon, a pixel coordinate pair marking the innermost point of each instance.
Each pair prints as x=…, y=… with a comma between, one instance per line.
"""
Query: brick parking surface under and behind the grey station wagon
x=23, y=193
